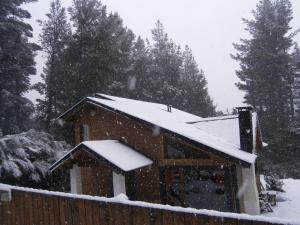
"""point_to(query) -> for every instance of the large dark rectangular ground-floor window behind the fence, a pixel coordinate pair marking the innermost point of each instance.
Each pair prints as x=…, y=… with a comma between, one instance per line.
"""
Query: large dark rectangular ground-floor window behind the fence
x=198, y=187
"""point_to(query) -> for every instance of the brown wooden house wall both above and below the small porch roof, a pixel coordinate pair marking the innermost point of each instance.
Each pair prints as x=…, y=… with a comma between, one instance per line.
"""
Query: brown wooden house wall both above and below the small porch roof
x=142, y=184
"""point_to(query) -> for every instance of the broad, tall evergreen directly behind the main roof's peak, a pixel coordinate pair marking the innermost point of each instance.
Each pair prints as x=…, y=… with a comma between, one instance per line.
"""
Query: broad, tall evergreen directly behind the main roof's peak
x=98, y=56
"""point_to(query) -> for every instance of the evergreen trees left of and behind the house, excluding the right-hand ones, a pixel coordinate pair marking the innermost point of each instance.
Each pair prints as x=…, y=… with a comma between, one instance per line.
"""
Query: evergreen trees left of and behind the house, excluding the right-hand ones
x=92, y=52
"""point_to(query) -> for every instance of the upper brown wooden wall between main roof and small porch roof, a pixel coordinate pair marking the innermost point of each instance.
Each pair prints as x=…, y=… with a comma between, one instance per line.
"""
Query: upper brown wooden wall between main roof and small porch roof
x=104, y=124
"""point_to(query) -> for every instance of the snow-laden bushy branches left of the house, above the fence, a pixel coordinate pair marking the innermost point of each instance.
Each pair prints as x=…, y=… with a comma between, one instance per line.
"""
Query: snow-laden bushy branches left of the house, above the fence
x=25, y=158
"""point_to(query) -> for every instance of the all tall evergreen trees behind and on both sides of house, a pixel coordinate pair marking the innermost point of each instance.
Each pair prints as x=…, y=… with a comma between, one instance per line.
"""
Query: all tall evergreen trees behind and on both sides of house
x=89, y=50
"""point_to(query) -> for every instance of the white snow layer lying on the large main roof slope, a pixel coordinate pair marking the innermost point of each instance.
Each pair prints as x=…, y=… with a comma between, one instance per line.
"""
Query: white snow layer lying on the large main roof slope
x=178, y=122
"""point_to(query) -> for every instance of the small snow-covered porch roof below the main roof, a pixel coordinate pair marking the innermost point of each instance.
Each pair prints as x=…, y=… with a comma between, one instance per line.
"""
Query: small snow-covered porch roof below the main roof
x=115, y=152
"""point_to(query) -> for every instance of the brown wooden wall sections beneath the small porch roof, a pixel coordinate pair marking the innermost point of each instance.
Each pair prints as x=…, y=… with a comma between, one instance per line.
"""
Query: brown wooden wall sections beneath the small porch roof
x=141, y=184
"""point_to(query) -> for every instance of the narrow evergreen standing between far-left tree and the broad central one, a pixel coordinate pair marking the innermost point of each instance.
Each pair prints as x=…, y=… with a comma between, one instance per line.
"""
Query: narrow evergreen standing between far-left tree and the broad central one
x=55, y=36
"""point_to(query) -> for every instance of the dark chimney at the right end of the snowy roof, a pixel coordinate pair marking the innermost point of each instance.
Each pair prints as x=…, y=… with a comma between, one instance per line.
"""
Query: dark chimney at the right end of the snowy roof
x=245, y=125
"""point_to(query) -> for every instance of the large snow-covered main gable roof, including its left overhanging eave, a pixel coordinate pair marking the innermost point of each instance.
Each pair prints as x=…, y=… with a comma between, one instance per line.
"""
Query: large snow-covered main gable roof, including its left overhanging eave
x=185, y=125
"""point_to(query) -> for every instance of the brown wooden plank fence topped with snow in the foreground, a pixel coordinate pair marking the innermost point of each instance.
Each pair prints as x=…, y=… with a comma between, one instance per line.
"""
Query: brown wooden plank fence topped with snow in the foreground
x=30, y=207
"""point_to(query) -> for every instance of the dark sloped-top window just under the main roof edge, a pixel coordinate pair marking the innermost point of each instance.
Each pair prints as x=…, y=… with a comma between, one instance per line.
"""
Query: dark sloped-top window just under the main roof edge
x=177, y=150
